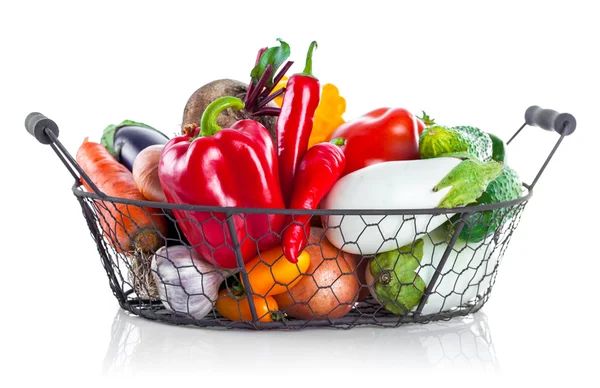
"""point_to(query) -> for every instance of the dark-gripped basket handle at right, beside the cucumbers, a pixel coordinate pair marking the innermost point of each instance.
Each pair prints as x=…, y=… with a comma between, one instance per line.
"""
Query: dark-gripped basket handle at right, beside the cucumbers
x=562, y=123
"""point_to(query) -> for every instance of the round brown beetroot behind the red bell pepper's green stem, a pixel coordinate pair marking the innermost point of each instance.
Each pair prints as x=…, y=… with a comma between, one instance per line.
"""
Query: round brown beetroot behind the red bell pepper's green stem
x=206, y=94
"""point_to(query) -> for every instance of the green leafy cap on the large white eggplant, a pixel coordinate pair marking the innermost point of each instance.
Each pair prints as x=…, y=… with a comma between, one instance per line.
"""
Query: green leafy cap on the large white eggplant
x=468, y=181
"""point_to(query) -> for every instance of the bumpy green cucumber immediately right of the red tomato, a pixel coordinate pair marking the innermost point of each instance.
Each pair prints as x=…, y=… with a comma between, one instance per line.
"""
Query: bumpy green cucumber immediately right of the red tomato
x=439, y=140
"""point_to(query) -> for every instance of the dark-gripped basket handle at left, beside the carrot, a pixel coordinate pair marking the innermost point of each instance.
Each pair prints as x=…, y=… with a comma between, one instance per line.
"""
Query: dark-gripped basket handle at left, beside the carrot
x=46, y=132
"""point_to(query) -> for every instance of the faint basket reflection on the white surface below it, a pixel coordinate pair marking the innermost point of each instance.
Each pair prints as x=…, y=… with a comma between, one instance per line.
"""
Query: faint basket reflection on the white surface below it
x=140, y=345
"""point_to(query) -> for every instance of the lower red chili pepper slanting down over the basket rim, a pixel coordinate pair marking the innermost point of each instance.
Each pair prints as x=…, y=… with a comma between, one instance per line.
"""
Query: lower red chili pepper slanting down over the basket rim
x=318, y=171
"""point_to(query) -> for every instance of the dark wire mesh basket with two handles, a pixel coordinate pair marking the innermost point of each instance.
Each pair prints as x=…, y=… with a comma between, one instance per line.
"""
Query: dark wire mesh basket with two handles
x=424, y=261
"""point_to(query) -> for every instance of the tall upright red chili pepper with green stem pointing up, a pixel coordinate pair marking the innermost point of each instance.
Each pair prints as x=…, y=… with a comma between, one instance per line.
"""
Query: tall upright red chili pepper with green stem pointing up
x=295, y=122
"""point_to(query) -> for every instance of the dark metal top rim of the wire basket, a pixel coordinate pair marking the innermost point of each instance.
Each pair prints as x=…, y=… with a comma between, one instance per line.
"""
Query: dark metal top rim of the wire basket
x=79, y=192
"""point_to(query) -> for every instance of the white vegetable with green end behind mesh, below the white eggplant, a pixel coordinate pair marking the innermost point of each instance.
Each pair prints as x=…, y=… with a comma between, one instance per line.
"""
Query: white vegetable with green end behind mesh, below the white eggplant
x=466, y=274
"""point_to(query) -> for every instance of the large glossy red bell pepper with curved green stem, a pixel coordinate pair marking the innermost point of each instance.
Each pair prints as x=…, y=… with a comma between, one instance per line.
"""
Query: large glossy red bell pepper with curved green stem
x=234, y=167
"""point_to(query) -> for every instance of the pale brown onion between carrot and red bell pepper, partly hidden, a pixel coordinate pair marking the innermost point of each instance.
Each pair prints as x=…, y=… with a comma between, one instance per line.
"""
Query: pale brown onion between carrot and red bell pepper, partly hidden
x=145, y=173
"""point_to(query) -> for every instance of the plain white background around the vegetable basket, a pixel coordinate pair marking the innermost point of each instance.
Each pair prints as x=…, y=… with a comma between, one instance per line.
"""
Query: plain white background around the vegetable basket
x=86, y=66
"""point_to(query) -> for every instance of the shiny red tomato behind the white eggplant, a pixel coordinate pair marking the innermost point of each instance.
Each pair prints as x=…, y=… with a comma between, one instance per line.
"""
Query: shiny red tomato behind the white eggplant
x=382, y=135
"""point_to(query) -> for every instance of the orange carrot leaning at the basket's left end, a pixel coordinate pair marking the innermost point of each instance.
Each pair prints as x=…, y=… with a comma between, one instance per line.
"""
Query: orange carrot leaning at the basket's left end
x=128, y=227
